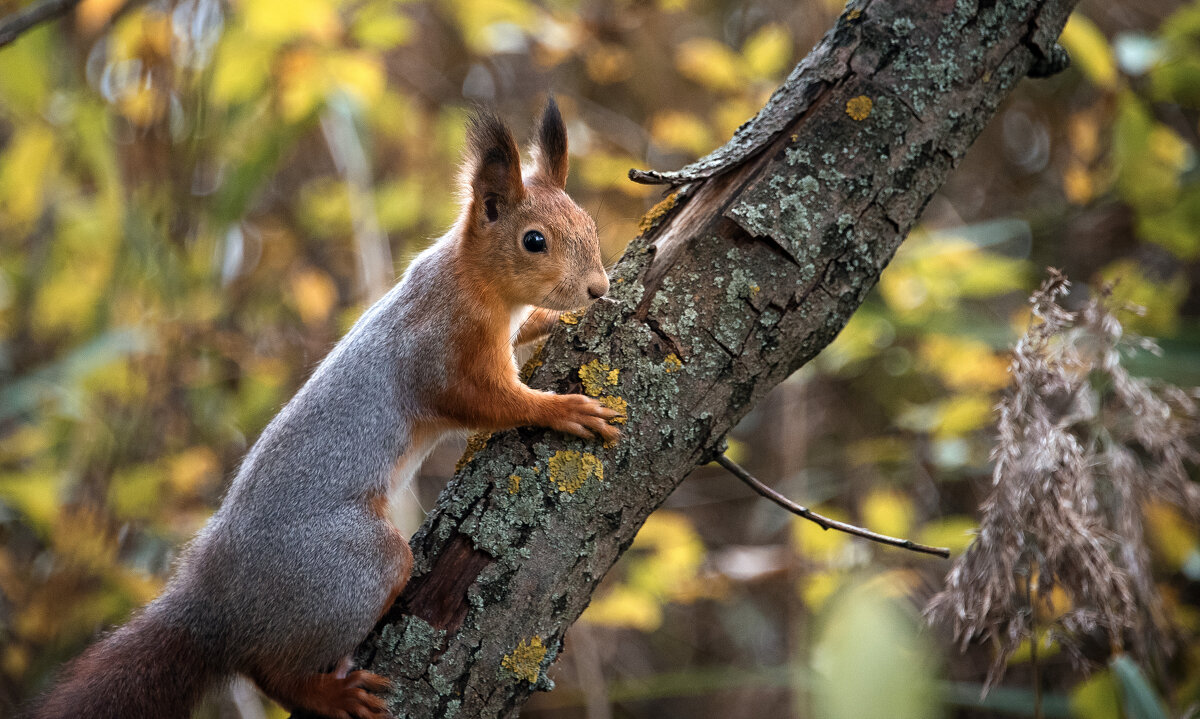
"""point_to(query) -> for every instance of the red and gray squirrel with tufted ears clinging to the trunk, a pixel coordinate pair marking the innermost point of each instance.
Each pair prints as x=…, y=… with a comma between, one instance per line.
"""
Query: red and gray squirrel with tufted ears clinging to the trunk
x=301, y=560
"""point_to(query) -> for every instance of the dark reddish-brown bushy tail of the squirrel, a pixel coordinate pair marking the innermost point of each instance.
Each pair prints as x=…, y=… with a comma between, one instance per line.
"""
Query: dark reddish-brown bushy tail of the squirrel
x=145, y=670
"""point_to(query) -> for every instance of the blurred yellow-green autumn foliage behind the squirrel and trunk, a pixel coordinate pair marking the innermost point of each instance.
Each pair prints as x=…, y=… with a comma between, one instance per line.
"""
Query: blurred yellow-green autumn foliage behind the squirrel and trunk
x=197, y=199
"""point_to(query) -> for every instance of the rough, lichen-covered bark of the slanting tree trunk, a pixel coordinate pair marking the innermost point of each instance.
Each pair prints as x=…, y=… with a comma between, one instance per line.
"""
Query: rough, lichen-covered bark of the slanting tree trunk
x=745, y=273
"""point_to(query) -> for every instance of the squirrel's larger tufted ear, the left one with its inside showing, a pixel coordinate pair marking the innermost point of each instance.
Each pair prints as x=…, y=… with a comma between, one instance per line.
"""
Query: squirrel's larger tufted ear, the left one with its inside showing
x=494, y=166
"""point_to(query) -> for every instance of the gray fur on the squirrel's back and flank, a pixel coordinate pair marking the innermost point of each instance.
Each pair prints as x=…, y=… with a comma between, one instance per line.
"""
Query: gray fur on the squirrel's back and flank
x=293, y=558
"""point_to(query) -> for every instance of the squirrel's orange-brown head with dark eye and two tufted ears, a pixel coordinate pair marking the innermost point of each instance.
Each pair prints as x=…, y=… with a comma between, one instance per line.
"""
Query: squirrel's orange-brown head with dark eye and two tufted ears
x=523, y=227
